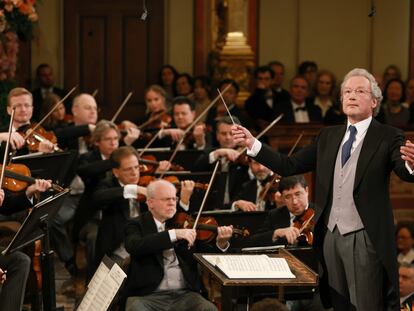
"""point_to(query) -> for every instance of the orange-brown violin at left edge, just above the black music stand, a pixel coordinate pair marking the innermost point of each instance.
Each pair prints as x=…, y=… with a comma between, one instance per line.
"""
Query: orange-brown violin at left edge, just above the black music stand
x=18, y=177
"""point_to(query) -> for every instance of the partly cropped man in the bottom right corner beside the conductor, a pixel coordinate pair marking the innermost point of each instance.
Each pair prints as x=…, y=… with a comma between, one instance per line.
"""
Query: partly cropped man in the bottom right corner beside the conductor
x=406, y=282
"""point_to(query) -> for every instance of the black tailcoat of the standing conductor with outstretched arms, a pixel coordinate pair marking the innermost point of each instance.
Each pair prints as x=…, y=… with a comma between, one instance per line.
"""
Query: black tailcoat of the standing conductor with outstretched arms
x=379, y=155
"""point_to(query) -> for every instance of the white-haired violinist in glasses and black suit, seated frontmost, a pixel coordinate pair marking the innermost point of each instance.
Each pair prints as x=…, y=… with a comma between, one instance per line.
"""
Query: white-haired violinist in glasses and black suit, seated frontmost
x=163, y=274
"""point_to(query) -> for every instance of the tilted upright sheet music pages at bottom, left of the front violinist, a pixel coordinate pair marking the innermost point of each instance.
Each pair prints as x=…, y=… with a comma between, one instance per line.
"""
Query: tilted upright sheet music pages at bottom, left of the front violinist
x=102, y=288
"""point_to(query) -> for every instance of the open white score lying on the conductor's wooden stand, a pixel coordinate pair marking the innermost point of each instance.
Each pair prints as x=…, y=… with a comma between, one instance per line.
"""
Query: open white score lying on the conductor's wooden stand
x=251, y=266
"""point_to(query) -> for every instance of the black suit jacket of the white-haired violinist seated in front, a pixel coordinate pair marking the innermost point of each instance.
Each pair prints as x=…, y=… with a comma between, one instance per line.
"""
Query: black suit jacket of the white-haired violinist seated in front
x=146, y=246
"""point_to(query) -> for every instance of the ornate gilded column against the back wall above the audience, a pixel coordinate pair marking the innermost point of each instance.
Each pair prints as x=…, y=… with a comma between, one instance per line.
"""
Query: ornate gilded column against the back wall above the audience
x=232, y=57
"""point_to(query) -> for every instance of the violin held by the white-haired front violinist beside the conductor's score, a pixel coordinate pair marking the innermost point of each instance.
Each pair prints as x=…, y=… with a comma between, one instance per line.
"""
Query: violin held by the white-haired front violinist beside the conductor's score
x=206, y=227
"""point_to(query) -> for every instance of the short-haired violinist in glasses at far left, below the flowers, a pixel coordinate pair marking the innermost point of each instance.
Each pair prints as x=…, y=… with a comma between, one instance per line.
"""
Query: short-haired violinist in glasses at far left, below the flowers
x=22, y=100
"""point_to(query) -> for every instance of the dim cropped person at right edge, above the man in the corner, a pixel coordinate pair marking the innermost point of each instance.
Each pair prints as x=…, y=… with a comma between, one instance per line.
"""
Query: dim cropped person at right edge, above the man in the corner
x=405, y=240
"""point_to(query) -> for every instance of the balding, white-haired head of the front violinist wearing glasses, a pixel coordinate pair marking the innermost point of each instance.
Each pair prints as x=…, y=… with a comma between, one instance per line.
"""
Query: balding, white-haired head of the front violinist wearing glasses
x=162, y=204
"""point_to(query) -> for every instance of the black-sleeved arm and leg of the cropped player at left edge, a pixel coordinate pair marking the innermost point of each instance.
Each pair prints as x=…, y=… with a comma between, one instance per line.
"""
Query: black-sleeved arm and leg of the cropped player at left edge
x=14, y=267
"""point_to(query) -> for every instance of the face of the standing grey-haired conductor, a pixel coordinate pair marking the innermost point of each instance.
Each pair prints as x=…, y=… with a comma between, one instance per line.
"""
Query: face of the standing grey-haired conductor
x=357, y=100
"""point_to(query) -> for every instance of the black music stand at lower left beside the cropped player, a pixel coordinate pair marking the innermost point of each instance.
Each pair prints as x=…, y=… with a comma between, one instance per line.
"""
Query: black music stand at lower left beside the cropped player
x=35, y=227
